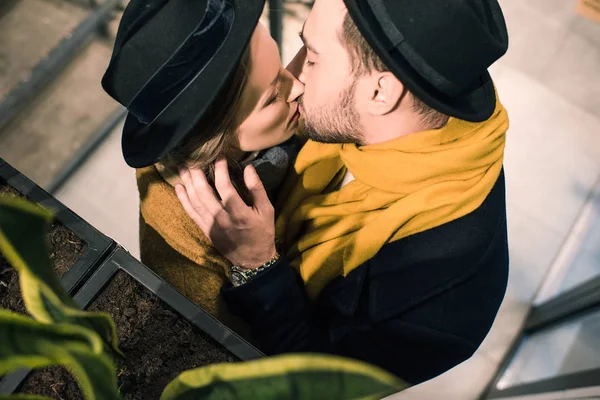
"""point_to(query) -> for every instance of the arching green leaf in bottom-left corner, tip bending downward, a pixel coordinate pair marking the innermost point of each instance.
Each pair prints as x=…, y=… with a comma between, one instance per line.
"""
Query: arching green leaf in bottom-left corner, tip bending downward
x=31, y=344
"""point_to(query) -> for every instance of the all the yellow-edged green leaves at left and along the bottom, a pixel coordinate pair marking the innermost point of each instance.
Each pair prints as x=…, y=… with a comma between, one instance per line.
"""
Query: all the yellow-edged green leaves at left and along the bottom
x=62, y=334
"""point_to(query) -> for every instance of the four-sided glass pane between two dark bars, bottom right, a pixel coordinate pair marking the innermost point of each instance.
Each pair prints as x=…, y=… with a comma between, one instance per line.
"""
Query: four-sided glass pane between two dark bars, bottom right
x=570, y=347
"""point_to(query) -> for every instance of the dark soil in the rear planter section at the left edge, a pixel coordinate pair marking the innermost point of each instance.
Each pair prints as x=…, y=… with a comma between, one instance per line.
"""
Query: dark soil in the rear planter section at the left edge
x=65, y=249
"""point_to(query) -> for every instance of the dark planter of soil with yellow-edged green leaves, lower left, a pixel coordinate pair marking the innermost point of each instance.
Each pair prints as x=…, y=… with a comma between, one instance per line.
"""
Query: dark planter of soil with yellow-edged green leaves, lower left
x=160, y=333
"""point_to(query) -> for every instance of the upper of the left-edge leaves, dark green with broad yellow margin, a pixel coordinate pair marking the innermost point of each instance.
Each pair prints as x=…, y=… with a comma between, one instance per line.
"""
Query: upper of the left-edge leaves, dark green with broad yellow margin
x=23, y=228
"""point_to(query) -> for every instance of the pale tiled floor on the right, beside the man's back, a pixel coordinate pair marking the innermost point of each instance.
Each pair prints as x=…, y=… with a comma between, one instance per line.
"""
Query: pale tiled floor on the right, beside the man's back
x=552, y=163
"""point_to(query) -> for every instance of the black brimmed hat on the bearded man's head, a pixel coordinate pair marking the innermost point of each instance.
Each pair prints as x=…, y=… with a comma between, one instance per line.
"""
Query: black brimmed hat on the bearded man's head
x=439, y=49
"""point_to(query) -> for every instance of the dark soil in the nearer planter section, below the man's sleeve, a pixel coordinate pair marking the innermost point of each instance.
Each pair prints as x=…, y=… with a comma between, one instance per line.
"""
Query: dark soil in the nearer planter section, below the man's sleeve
x=158, y=345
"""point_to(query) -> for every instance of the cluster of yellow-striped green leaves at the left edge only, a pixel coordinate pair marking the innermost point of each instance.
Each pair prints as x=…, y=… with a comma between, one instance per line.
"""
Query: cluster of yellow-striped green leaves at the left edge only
x=61, y=334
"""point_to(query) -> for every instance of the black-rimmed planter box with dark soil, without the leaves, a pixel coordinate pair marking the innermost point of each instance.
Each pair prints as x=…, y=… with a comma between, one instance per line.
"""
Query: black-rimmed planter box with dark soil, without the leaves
x=163, y=332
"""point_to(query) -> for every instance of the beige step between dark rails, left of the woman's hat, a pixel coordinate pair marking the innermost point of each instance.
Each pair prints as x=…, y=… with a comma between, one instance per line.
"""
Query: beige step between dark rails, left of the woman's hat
x=64, y=115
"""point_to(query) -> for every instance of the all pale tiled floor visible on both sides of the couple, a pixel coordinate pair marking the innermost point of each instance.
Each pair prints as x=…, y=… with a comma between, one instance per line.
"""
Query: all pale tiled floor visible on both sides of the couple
x=550, y=83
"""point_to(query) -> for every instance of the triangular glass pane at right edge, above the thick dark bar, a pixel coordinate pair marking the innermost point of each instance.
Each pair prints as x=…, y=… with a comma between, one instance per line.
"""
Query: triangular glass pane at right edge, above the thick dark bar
x=579, y=258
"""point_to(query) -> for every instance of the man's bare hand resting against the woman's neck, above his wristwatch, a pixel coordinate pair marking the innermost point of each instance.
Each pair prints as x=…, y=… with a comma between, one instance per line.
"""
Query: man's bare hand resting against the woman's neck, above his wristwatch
x=244, y=235
